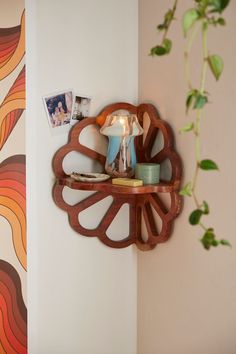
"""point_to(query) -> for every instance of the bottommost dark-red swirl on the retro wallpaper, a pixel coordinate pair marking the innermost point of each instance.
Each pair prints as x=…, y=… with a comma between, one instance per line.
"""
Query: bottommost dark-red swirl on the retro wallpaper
x=13, y=313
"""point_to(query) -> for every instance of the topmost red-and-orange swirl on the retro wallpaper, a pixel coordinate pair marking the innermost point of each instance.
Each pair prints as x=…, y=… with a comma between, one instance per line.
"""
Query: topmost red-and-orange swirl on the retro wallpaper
x=12, y=47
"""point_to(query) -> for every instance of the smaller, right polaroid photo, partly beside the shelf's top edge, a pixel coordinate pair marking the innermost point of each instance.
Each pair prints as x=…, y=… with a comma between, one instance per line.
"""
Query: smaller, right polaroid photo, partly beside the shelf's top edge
x=81, y=108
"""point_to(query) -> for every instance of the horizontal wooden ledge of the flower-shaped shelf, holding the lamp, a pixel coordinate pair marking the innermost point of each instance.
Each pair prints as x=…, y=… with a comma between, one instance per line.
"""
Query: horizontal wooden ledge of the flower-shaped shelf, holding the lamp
x=108, y=187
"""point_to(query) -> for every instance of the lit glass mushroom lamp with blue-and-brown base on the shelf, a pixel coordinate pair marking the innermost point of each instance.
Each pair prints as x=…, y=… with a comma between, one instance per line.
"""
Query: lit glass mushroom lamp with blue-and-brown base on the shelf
x=121, y=130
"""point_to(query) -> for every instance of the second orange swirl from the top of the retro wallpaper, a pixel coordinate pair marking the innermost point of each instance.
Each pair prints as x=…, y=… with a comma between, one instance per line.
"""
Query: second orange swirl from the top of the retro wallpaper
x=12, y=107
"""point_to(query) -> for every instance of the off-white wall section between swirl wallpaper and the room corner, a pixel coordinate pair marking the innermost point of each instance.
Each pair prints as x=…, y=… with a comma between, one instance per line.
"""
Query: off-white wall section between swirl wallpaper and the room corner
x=82, y=294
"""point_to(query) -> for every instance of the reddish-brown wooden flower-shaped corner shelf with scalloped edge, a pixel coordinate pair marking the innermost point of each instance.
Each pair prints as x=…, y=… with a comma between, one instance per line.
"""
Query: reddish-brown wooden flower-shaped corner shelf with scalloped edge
x=144, y=201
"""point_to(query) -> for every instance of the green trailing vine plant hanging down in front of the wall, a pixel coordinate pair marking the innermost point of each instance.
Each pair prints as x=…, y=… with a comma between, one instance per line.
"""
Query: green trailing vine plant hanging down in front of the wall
x=202, y=15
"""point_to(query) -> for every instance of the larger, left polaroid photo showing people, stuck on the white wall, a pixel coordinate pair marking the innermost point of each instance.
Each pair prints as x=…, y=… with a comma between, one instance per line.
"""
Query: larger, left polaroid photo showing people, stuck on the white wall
x=59, y=108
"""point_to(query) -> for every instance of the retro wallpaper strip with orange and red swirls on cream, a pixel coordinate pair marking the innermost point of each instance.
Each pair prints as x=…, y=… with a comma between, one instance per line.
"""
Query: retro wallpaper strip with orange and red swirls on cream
x=13, y=313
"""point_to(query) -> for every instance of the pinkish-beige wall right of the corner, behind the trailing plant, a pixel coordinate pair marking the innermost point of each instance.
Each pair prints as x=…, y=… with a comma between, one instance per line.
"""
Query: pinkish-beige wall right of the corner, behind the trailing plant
x=186, y=295
